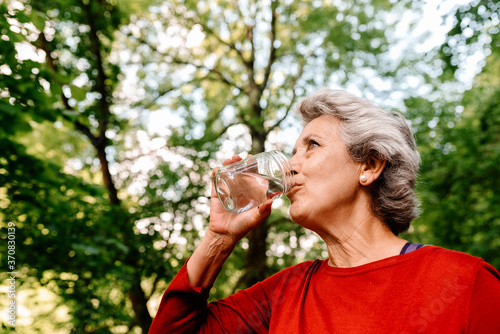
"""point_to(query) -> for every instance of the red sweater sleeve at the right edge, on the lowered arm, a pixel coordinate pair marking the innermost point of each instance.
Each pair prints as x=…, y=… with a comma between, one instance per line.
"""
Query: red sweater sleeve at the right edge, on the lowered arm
x=484, y=307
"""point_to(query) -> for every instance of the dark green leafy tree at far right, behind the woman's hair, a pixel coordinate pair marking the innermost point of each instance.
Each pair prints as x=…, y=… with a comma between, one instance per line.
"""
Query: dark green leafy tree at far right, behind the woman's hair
x=458, y=134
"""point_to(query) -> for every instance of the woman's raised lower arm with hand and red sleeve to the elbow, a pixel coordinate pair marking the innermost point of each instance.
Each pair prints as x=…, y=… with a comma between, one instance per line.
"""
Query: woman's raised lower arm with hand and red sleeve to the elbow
x=184, y=305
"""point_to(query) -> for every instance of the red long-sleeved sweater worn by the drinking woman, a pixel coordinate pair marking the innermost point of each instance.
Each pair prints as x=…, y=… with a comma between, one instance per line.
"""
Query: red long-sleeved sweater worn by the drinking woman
x=430, y=290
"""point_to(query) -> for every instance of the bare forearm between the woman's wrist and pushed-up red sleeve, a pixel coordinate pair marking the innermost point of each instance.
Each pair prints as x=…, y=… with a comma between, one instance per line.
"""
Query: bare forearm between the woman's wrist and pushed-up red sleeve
x=208, y=258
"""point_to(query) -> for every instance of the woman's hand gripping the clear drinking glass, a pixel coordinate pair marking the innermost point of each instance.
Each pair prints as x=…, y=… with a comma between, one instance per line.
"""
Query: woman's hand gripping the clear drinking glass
x=231, y=226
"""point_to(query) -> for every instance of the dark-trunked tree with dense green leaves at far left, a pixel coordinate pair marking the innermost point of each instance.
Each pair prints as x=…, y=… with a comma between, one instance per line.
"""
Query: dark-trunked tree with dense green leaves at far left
x=61, y=218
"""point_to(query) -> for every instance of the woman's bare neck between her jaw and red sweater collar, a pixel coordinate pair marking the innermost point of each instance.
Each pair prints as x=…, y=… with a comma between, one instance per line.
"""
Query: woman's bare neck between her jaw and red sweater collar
x=353, y=245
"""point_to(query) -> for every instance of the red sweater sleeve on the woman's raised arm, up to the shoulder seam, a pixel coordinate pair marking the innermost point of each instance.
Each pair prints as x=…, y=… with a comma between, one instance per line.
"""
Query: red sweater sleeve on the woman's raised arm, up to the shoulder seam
x=184, y=309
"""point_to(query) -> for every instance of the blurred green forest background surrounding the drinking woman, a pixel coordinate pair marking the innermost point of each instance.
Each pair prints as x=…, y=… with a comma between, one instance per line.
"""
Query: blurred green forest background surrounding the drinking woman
x=113, y=113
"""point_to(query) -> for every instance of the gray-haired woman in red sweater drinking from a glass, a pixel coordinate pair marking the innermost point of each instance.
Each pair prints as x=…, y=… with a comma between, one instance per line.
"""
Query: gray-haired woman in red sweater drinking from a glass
x=355, y=168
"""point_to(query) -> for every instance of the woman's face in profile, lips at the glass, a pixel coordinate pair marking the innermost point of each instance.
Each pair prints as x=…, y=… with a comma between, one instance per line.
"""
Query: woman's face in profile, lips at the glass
x=327, y=179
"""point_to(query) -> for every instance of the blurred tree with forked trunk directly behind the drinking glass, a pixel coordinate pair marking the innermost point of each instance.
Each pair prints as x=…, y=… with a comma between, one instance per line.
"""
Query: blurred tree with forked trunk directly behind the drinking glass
x=229, y=67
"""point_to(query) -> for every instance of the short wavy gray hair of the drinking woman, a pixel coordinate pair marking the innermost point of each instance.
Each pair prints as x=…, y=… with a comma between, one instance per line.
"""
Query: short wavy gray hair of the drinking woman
x=371, y=133
